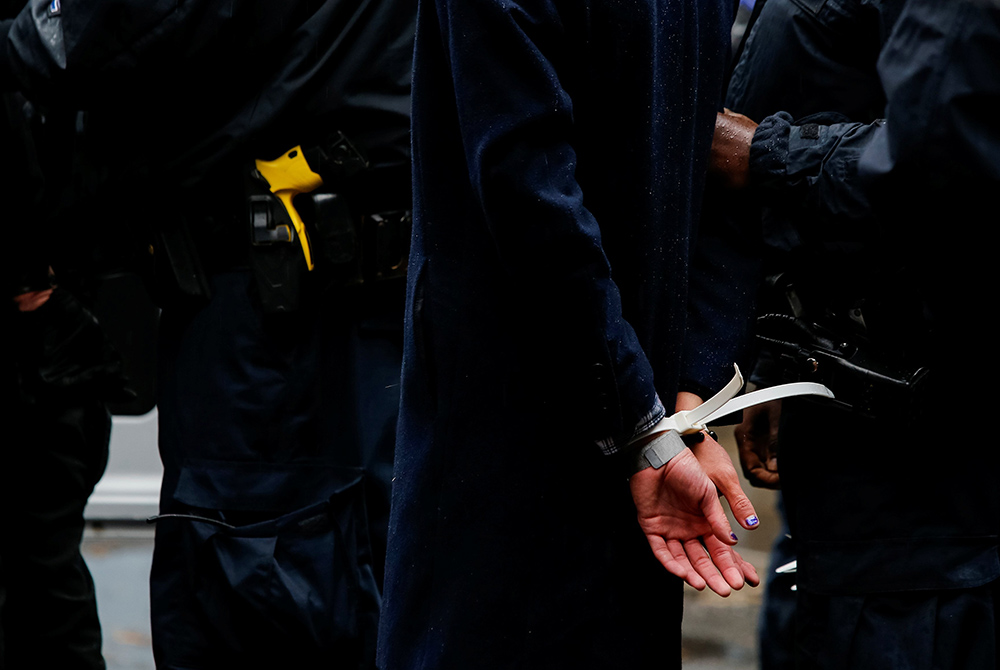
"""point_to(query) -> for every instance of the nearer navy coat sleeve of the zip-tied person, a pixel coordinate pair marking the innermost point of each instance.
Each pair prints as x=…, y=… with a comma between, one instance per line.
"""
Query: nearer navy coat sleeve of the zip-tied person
x=516, y=121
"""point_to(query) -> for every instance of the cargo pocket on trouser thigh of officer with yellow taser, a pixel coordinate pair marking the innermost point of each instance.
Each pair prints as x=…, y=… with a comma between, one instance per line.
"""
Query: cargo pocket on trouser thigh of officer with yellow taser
x=279, y=557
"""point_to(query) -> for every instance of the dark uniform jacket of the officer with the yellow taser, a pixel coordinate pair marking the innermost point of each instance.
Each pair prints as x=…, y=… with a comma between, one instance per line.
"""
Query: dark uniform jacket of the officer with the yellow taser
x=160, y=78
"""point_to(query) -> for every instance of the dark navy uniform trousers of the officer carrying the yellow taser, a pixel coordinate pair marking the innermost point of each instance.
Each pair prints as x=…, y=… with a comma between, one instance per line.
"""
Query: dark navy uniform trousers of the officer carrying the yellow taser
x=282, y=427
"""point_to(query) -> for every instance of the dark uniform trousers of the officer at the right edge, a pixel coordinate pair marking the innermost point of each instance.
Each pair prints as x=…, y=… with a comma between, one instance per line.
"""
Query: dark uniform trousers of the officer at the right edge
x=896, y=539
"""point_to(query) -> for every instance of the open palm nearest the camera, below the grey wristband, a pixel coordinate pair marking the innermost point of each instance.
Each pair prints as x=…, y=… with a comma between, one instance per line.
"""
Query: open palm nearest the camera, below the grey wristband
x=679, y=512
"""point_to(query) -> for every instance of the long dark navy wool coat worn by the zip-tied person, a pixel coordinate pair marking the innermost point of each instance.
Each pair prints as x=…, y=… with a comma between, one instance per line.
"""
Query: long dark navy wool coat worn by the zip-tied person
x=559, y=154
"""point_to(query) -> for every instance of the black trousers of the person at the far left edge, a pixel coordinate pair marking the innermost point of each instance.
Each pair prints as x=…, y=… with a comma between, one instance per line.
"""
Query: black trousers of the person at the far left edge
x=47, y=604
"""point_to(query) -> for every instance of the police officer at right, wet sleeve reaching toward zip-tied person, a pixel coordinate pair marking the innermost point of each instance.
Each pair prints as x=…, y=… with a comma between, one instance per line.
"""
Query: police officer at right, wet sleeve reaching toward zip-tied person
x=895, y=533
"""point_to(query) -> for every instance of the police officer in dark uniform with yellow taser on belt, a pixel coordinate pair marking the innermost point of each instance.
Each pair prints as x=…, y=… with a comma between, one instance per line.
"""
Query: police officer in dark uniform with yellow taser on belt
x=279, y=342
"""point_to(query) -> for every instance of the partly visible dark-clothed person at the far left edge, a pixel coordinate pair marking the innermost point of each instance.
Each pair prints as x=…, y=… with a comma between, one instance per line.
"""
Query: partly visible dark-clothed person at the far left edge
x=58, y=373
